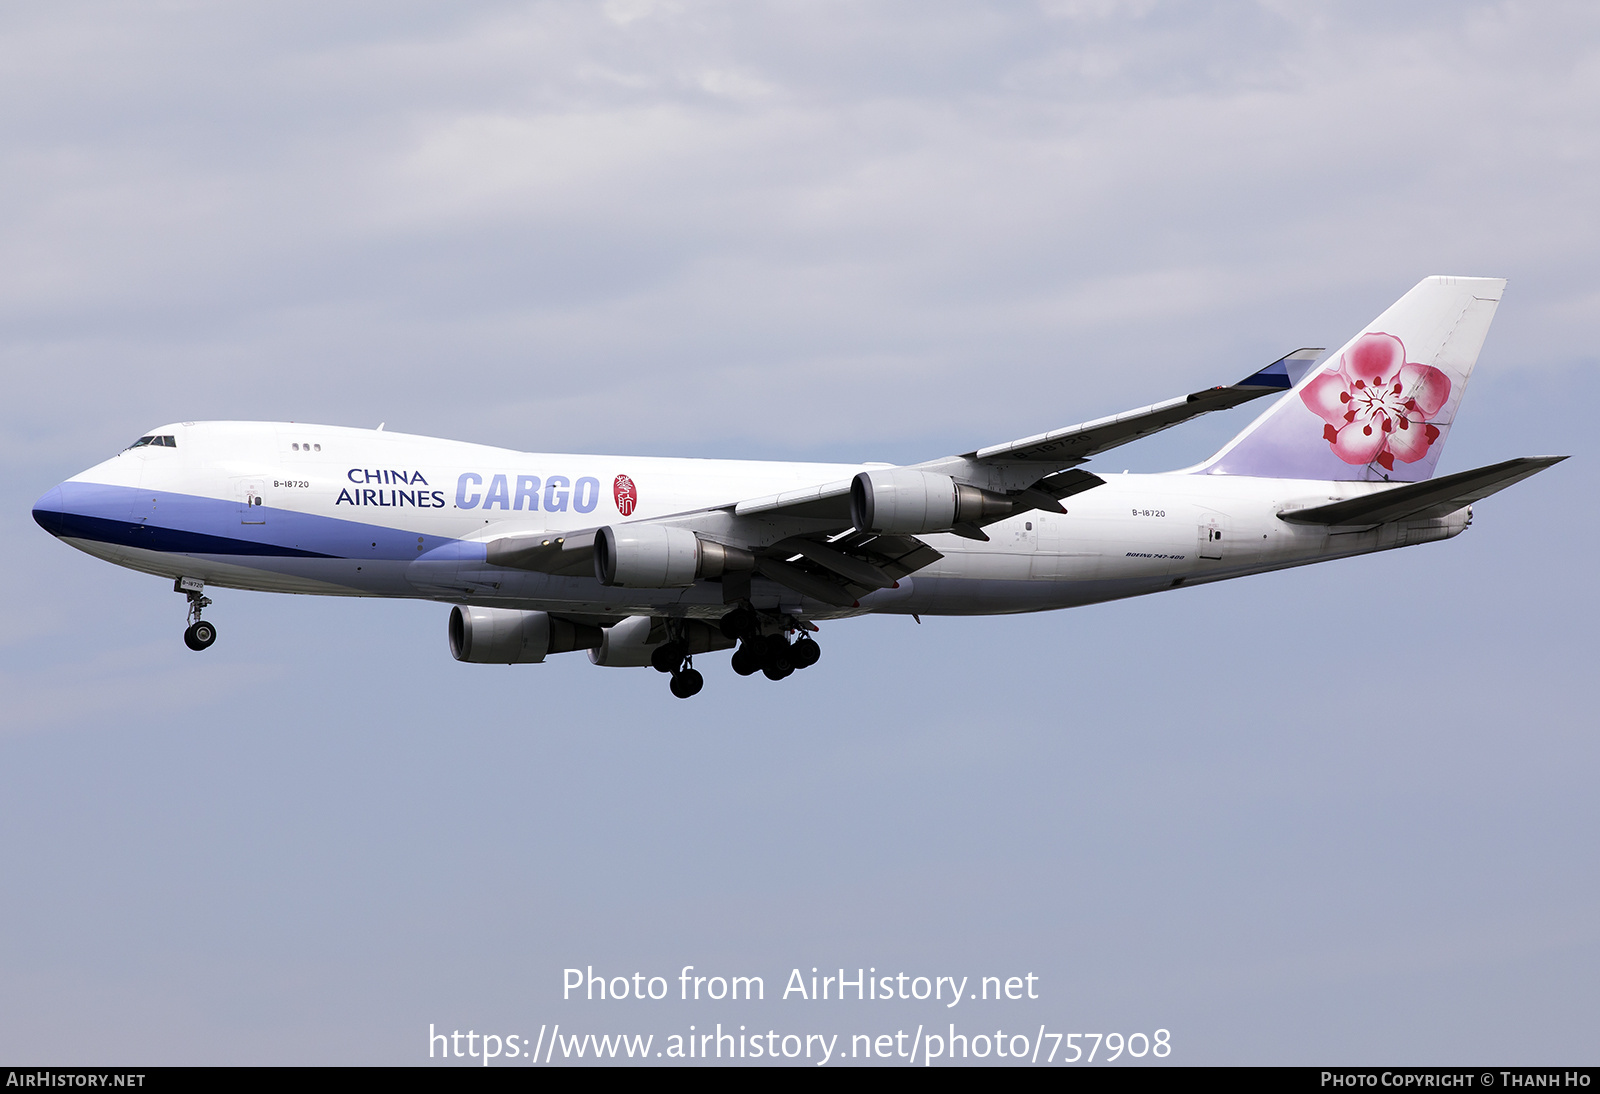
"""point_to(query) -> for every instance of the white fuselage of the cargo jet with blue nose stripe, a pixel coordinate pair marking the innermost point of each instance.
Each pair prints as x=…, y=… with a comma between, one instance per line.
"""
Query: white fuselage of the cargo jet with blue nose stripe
x=319, y=509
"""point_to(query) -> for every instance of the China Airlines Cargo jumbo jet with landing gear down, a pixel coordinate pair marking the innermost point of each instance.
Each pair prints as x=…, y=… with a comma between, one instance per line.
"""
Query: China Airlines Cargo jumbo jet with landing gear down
x=650, y=562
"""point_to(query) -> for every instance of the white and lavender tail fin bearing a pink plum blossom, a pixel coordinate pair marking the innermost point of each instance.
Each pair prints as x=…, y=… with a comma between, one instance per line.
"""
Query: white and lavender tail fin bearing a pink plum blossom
x=1382, y=407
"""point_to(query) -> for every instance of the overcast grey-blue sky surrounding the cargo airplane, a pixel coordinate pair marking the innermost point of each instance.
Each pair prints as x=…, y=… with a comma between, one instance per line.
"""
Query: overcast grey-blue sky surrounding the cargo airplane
x=1335, y=815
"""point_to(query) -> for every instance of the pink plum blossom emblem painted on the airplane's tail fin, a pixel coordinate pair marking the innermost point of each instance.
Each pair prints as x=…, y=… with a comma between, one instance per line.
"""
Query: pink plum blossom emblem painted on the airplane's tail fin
x=1377, y=405
